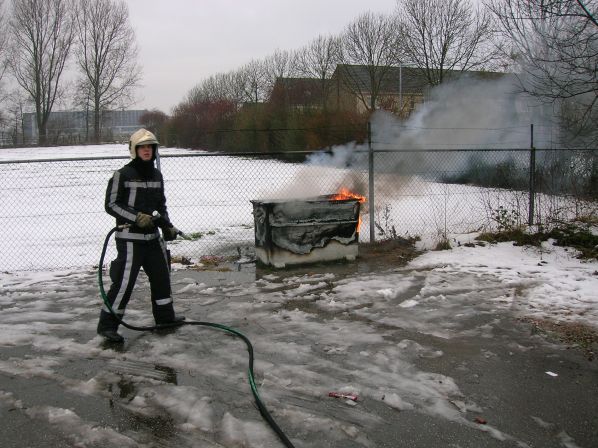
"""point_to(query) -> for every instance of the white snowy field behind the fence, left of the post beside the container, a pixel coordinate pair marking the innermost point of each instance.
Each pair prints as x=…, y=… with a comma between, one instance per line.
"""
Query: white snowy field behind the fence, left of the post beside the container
x=58, y=207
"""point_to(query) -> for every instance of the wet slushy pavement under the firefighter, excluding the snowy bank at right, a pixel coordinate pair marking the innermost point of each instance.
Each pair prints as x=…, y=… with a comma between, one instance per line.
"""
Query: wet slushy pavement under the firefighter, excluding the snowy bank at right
x=457, y=369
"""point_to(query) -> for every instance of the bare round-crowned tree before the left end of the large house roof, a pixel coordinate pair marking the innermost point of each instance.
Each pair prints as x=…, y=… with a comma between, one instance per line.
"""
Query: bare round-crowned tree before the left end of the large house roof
x=369, y=41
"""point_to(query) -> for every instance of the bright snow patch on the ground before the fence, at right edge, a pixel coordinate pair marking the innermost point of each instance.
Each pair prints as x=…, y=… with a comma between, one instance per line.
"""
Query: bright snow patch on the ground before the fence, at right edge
x=544, y=283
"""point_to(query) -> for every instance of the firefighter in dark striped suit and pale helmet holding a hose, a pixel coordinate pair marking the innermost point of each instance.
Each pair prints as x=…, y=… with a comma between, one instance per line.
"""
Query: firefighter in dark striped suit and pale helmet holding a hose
x=135, y=192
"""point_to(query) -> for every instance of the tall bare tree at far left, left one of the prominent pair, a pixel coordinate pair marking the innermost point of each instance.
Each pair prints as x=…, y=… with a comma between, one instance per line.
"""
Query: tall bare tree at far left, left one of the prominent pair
x=42, y=35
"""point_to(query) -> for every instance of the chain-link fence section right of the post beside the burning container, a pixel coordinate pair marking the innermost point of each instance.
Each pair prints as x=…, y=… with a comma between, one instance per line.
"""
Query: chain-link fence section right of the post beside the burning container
x=446, y=192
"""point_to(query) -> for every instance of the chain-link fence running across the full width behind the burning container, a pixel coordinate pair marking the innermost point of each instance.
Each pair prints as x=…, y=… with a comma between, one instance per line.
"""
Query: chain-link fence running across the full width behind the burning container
x=53, y=210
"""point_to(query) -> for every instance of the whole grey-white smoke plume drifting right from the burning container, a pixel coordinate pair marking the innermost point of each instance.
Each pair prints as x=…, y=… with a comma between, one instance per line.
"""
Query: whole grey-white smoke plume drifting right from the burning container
x=466, y=114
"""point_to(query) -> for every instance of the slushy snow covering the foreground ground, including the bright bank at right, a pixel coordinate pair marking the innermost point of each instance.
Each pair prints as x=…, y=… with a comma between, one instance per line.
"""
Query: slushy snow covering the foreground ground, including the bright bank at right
x=315, y=331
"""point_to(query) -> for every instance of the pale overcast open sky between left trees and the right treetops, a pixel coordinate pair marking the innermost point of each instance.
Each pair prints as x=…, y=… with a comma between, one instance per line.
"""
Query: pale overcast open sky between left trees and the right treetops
x=182, y=42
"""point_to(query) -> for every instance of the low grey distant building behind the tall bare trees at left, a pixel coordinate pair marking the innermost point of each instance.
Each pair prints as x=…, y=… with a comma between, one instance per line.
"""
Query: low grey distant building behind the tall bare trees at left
x=77, y=126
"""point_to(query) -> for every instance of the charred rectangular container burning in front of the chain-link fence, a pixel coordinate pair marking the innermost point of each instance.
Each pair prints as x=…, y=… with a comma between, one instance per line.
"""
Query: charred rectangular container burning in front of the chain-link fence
x=300, y=231
